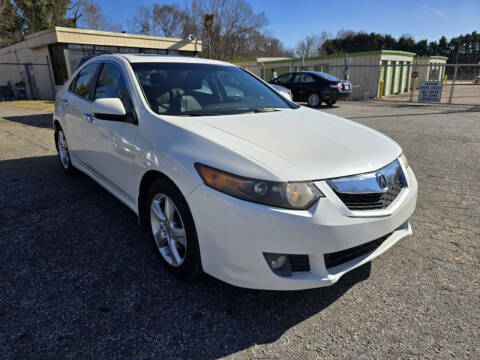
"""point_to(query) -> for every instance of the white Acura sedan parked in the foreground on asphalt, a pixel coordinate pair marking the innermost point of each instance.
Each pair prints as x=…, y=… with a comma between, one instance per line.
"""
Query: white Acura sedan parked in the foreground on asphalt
x=230, y=177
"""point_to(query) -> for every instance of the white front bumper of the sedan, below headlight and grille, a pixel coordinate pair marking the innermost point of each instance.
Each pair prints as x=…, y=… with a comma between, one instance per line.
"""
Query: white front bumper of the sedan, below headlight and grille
x=233, y=235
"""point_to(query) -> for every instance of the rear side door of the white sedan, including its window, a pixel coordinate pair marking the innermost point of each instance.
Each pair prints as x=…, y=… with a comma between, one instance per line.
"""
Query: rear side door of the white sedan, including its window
x=77, y=104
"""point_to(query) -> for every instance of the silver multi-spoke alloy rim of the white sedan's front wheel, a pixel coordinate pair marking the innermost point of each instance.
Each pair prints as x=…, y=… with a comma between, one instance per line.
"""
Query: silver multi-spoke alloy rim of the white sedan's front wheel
x=168, y=230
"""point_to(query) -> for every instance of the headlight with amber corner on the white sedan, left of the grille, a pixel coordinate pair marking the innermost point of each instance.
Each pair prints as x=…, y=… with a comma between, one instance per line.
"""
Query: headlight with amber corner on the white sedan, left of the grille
x=290, y=195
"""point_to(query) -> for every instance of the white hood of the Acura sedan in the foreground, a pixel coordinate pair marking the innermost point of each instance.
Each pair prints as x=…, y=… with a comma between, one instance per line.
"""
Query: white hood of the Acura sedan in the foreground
x=288, y=145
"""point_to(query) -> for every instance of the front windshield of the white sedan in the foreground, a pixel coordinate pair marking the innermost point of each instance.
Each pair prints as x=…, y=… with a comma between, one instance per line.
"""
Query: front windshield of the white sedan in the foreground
x=203, y=89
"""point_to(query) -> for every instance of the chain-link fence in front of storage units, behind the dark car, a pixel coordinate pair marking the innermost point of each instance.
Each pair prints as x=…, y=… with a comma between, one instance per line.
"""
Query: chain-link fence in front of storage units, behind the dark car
x=458, y=83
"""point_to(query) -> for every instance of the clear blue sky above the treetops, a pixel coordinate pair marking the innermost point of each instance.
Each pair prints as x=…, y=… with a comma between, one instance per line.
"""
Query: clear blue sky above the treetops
x=290, y=21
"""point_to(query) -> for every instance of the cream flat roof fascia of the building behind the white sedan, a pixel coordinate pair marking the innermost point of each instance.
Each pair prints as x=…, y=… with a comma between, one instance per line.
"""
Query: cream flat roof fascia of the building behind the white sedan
x=102, y=38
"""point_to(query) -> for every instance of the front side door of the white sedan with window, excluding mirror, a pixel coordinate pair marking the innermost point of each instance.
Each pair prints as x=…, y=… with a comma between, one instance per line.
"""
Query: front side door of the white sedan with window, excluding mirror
x=113, y=152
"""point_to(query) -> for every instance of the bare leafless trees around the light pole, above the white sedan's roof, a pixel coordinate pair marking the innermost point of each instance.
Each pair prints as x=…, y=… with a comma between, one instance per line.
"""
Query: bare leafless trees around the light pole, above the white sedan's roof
x=237, y=30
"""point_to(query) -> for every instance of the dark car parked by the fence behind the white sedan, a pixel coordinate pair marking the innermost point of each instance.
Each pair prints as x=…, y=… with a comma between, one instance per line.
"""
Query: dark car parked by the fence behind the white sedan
x=315, y=87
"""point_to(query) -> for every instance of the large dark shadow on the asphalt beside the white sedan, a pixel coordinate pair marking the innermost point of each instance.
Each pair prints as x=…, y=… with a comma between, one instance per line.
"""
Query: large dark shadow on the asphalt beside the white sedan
x=80, y=281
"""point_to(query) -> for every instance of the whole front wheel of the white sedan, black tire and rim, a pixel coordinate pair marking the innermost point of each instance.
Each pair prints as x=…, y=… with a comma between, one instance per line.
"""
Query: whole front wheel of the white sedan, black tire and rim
x=173, y=230
